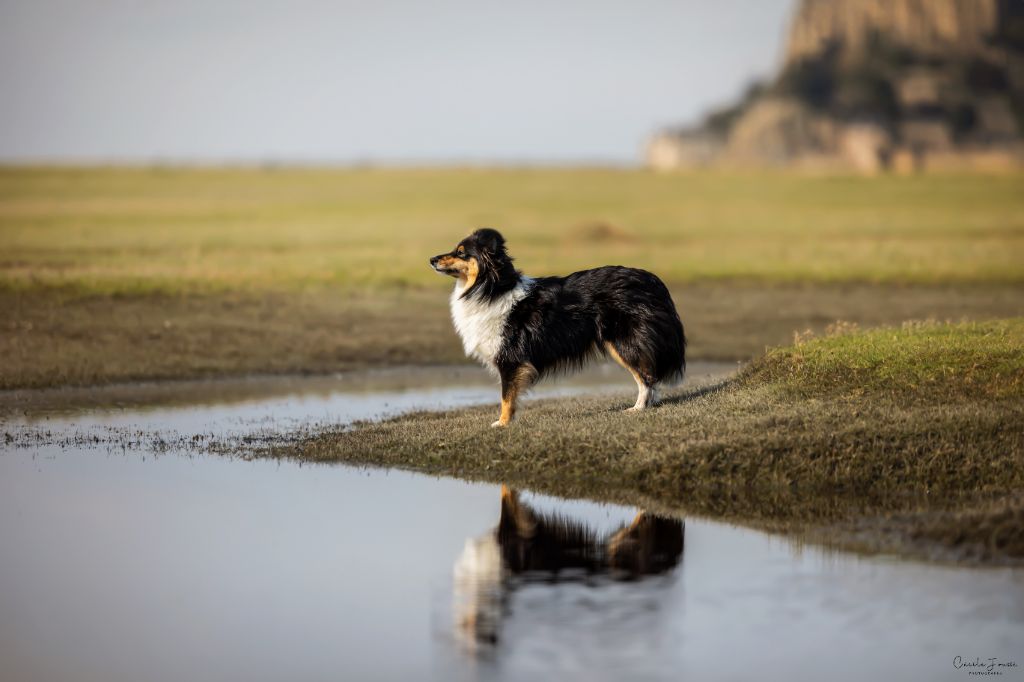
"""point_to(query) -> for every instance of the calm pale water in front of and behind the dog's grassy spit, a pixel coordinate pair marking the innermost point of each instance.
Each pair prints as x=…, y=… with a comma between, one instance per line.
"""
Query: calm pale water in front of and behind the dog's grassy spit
x=136, y=567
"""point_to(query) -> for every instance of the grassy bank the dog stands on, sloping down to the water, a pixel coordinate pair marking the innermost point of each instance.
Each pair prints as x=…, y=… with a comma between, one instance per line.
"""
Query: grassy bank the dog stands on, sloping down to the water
x=909, y=439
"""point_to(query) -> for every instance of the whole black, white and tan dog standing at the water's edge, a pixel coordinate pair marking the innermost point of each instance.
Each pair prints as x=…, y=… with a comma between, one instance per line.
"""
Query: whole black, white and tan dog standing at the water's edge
x=525, y=328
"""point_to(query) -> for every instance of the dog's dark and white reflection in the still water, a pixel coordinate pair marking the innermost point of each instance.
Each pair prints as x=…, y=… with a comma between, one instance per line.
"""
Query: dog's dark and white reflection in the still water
x=530, y=546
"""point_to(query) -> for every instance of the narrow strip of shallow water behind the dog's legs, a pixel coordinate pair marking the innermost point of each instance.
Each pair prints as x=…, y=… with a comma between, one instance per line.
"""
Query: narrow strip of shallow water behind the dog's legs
x=238, y=408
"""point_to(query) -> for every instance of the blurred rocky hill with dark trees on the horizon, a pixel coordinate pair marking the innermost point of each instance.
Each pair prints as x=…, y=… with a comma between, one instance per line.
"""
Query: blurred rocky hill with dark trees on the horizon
x=874, y=86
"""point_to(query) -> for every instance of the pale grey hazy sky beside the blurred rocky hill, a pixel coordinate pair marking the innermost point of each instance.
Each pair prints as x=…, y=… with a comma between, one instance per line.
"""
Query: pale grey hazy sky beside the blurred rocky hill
x=416, y=80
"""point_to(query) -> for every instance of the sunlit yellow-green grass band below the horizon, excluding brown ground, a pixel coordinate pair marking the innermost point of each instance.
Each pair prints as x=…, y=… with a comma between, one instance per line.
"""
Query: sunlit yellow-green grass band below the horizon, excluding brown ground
x=137, y=231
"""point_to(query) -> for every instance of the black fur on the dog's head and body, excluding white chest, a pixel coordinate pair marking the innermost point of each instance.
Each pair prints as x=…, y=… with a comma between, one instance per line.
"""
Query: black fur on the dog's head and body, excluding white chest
x=563, y=322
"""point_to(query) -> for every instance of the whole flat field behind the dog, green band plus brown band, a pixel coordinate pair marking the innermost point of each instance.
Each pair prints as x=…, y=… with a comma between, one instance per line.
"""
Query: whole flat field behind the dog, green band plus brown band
x=116, y=275
